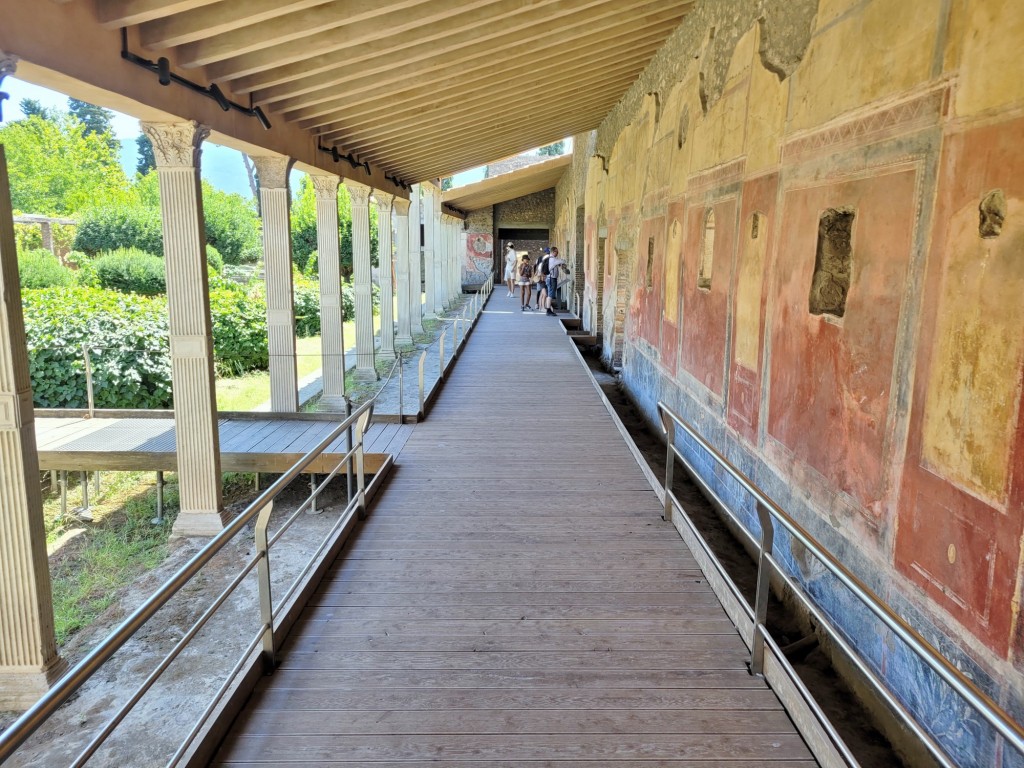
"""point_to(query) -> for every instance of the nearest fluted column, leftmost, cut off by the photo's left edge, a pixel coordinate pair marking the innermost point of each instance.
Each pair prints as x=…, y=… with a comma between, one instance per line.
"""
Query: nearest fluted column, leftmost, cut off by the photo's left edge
x=29, y=661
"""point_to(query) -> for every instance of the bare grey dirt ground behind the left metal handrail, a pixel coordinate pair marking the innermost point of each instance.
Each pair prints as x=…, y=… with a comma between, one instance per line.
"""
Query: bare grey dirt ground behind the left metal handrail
x=165, y=716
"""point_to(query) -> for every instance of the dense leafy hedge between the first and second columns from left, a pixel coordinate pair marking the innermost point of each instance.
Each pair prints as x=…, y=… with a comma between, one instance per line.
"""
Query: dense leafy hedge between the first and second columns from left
x=127, y=336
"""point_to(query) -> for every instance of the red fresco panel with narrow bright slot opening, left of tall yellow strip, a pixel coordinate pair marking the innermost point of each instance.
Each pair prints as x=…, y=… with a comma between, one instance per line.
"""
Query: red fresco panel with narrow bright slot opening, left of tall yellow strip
x=706, y=312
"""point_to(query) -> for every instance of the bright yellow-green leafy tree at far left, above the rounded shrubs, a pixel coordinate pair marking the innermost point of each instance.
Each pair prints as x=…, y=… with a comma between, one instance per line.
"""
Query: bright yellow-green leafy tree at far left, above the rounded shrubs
x=57, y=168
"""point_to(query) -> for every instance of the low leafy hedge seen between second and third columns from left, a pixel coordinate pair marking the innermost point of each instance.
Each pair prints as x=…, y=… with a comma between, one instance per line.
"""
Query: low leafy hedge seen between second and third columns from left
x=240, y=340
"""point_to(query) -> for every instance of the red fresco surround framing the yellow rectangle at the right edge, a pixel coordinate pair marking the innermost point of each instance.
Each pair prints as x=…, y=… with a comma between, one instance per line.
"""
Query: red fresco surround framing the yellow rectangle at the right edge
x=963, y=551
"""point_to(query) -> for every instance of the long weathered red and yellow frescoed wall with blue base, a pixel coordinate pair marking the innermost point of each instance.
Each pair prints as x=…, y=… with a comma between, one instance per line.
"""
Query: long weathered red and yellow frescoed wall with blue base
x=854, y=336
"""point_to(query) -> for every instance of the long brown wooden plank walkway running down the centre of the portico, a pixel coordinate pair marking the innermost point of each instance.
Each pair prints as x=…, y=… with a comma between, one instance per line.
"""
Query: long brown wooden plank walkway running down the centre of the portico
x=515, y=600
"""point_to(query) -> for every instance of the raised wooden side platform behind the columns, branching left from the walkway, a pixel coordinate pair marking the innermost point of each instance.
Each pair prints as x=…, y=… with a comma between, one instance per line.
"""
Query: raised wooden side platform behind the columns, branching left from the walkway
x=249, y=443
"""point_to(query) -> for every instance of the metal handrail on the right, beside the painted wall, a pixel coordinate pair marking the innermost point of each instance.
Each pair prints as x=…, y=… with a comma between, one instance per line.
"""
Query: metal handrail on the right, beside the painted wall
x=770, y=514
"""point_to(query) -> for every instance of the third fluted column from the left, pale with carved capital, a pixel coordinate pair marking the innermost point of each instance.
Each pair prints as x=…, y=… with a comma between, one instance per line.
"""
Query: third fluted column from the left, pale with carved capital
x=274, y=202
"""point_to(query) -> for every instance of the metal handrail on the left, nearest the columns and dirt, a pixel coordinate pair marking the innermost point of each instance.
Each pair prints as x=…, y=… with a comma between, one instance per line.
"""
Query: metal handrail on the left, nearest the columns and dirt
x=26, y=726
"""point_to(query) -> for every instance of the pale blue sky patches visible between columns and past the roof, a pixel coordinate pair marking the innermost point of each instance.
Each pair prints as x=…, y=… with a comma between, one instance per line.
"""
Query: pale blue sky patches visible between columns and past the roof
x=223, y=166
